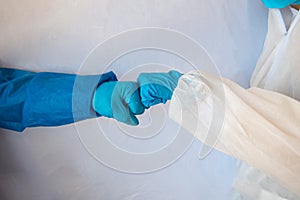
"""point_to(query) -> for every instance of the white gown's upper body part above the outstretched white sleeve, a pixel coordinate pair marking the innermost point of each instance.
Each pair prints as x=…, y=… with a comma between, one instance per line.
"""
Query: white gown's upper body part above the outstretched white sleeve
x=278, y=66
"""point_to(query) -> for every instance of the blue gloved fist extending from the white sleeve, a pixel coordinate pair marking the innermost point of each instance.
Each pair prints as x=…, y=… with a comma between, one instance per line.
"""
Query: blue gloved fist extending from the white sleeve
x=157, y=88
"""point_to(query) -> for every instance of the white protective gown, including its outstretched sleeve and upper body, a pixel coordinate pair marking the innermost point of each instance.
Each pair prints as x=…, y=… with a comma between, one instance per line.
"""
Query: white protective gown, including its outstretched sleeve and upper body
x=260, y=125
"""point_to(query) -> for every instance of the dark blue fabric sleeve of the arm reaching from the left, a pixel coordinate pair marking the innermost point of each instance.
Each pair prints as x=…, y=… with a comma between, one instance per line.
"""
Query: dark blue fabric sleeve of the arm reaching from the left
x=47, y=99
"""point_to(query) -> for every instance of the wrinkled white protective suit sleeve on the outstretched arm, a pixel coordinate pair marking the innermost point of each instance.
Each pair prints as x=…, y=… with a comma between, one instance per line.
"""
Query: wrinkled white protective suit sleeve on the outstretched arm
x=258, y=126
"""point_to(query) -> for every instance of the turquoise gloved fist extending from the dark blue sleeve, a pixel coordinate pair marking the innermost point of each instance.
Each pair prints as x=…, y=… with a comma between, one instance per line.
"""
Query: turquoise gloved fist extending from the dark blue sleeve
x=118, y=100
